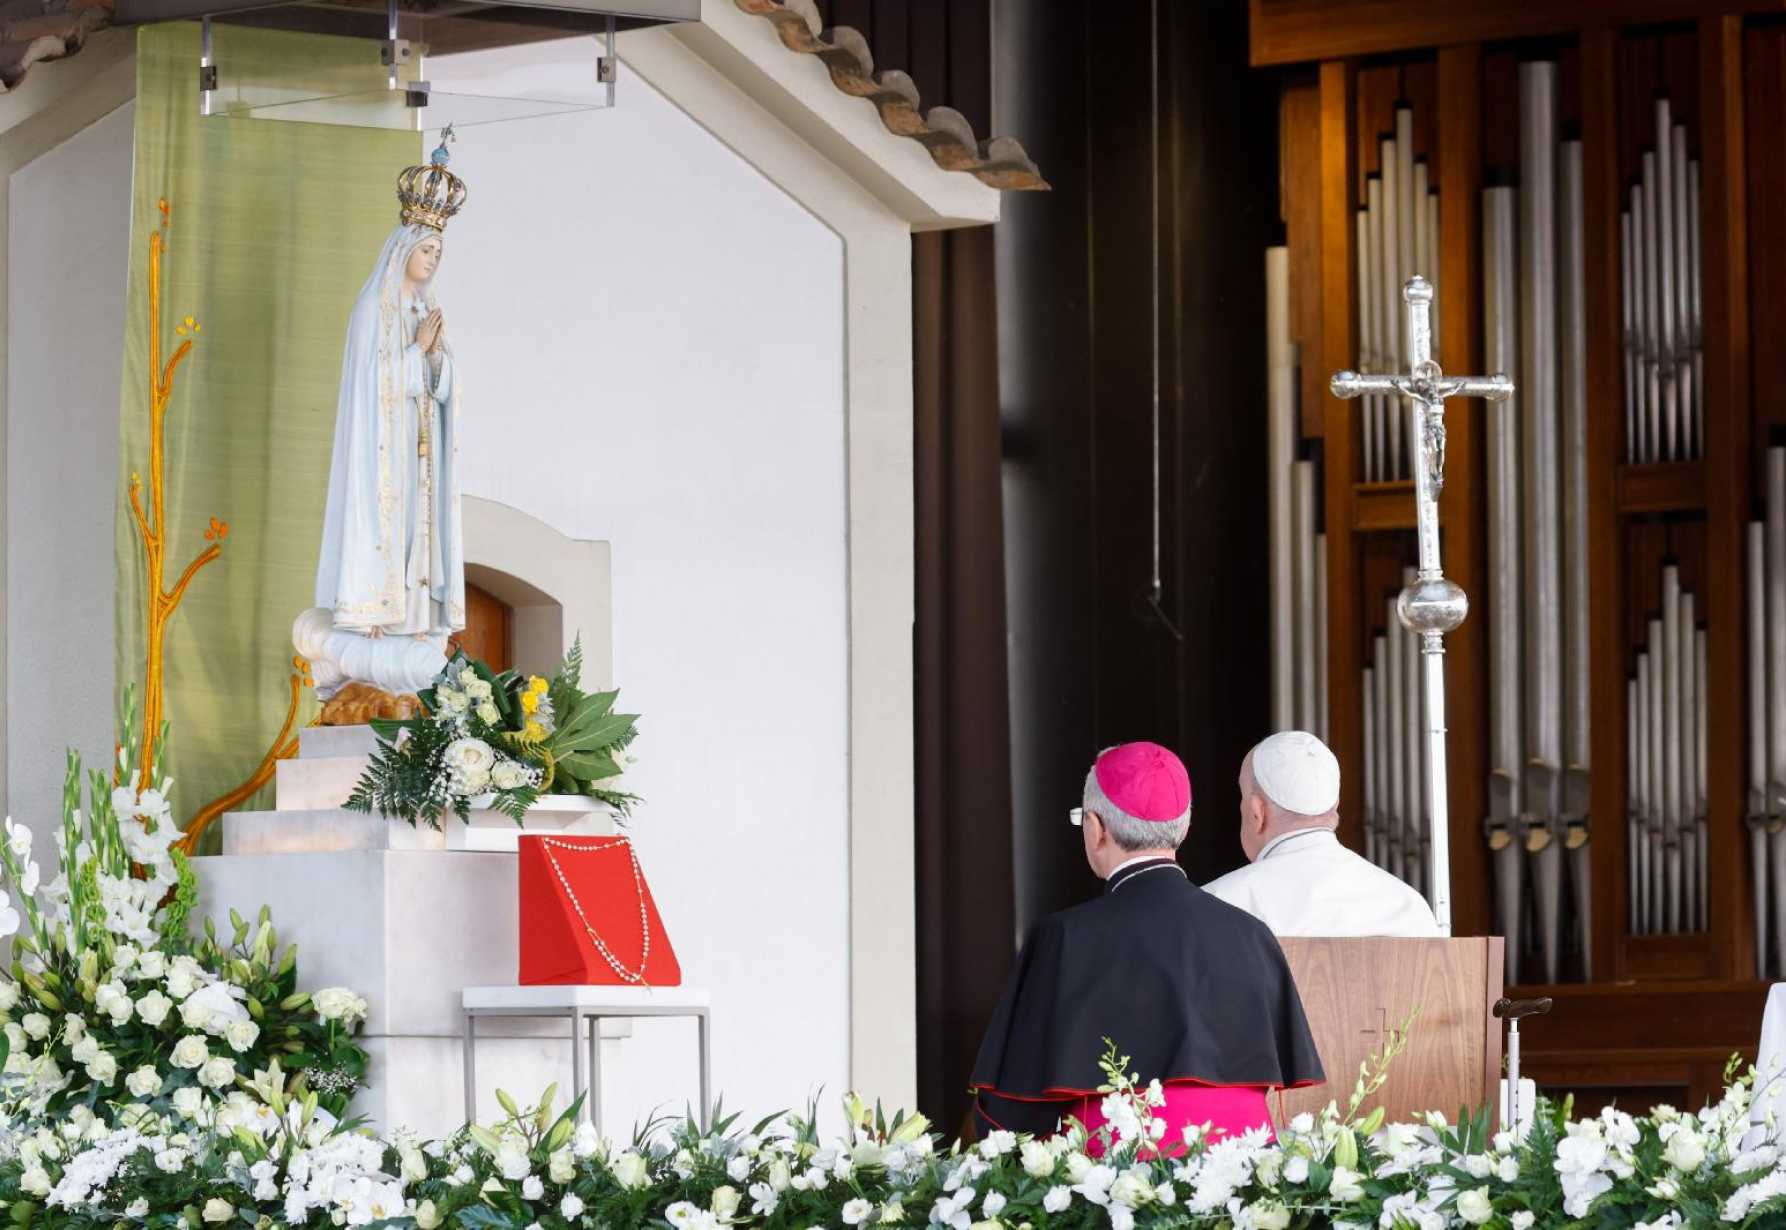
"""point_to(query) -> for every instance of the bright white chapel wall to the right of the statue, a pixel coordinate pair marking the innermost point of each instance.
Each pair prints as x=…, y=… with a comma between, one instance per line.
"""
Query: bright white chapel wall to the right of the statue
x=653, y=342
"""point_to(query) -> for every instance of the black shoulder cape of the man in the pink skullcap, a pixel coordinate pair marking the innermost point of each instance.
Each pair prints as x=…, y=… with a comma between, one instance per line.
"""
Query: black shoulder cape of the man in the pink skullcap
x=1187, y=986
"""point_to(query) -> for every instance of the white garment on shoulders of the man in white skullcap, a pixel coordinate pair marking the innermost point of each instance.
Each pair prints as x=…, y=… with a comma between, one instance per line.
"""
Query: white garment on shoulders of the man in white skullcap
x=1308, y=885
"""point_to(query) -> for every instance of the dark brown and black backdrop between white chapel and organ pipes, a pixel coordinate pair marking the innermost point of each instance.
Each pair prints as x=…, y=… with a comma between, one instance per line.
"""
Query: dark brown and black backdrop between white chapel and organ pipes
x=1035, y=370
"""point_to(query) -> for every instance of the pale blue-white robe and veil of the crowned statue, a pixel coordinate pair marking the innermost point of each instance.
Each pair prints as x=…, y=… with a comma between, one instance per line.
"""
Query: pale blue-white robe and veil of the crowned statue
x=394, y=553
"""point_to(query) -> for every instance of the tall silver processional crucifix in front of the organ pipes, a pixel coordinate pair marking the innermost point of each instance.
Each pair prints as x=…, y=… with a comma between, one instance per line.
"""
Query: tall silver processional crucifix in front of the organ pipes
x=1431, y=606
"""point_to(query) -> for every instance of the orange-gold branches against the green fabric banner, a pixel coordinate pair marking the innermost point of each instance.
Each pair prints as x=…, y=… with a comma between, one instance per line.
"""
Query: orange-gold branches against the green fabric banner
x=162, y=601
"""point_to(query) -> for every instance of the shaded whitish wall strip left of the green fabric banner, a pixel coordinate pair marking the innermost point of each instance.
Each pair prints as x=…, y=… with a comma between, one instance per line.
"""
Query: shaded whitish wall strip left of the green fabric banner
x=69, y=256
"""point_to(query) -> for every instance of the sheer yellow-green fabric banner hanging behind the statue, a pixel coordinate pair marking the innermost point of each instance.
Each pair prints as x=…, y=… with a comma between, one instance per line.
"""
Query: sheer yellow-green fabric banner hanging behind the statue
x=272, y=228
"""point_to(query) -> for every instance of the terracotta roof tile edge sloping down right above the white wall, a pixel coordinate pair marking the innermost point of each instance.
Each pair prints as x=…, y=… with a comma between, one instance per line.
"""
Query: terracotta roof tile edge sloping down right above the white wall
x=946, y=133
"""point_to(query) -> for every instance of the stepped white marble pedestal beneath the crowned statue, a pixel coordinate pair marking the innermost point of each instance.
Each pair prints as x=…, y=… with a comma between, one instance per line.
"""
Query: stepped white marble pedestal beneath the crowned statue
x=405, y=917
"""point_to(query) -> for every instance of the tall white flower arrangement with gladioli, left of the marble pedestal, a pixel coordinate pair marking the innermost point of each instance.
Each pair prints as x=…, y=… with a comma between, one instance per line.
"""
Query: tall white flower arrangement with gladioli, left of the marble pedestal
x=110, y=1001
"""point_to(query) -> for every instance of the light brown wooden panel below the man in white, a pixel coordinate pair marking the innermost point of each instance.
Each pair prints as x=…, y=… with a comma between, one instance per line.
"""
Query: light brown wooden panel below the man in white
x=1355, y=990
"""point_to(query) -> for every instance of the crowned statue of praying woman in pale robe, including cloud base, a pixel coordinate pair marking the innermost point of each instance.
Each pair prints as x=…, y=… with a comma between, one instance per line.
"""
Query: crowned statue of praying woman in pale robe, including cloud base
x=390, y=583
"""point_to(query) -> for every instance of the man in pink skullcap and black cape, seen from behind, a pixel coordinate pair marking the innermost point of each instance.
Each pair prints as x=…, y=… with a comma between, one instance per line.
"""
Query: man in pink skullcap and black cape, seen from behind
x=1194, y=992
